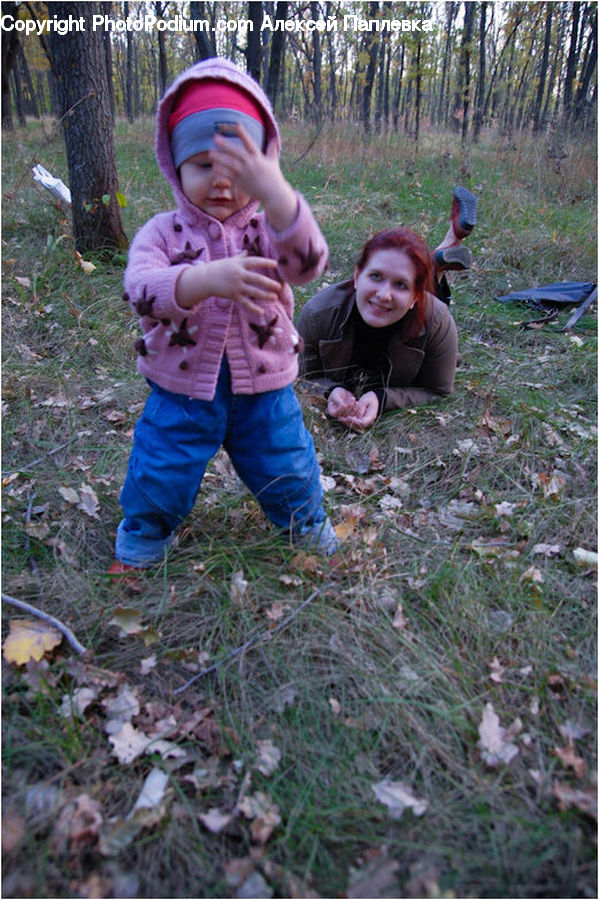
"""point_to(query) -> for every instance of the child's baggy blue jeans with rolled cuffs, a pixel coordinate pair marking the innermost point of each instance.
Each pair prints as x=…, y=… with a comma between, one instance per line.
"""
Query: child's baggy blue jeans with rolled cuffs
x=176, y=436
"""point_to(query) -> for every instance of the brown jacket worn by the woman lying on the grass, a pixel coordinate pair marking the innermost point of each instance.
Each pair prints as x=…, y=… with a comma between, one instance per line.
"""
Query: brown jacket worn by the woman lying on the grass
x=417, y=370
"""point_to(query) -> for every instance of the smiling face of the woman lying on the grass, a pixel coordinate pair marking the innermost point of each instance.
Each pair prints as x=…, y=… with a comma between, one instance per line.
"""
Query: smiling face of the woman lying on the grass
x=385, y=287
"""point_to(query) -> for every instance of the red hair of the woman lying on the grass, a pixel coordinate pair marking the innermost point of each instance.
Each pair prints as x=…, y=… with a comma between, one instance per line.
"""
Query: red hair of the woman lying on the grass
x=413, y=246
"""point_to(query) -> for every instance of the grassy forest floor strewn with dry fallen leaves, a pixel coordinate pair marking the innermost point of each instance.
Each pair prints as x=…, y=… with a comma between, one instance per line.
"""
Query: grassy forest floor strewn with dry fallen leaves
x=460, y=592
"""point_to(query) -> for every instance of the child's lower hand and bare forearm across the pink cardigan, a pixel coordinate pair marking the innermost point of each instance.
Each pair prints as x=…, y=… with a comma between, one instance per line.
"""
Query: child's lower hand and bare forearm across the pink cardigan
x=234, y=278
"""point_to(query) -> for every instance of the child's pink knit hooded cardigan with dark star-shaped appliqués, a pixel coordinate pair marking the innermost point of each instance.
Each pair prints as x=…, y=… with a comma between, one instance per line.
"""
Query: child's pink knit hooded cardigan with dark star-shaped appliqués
x=182, y=350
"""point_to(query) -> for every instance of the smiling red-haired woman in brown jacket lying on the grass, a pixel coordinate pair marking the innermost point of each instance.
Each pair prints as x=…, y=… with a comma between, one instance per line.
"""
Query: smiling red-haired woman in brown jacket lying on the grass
x=382, y=340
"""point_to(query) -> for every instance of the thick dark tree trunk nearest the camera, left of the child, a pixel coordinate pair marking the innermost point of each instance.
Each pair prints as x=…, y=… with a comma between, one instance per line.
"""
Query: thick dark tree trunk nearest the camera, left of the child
x=79, y=66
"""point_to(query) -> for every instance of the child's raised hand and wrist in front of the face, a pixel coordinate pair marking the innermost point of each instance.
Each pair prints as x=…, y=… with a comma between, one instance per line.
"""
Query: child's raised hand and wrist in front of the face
x=257, y=174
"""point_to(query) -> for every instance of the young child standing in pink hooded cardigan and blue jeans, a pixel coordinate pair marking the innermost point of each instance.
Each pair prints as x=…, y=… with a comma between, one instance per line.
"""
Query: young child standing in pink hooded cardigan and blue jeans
x=209, y=283
